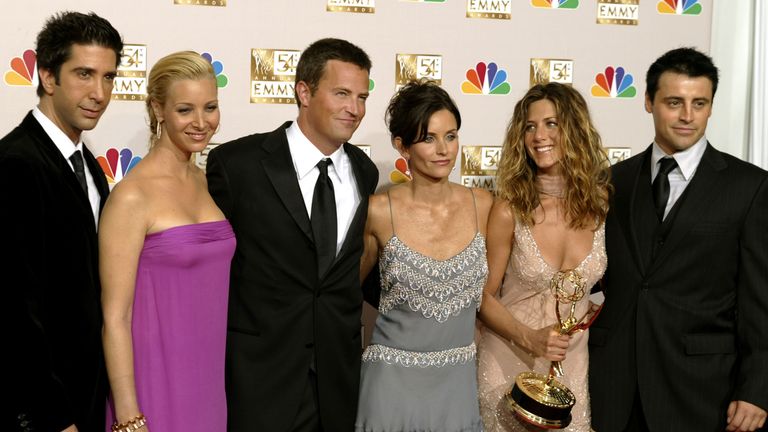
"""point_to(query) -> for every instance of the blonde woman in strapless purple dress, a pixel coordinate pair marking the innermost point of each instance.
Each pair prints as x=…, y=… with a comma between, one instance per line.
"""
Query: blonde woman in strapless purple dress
x=165, y=252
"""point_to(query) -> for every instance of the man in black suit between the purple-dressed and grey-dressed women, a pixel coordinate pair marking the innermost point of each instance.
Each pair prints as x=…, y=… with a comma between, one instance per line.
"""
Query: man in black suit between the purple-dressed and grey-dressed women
x=297, y=199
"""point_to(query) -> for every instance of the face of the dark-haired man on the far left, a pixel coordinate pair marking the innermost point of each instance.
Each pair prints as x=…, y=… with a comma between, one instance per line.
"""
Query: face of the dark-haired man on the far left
x=78, y=100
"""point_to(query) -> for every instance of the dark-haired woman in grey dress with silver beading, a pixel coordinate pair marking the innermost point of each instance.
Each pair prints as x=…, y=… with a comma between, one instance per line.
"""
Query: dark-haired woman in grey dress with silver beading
x=419, y=373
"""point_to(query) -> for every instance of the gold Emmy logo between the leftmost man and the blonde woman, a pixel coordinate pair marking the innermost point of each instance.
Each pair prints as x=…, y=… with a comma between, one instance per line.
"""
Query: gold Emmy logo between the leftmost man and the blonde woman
x=131, y=80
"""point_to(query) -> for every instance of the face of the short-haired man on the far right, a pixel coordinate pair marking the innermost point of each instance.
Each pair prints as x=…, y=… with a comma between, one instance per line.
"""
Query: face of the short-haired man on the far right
x=681, y=108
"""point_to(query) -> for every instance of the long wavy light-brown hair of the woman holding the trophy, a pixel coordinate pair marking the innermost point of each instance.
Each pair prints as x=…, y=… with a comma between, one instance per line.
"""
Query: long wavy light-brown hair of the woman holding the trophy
x=584, y=163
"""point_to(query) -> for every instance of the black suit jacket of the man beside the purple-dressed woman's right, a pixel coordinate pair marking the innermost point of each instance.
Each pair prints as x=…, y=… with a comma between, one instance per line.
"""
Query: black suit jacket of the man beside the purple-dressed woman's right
x=280, y=312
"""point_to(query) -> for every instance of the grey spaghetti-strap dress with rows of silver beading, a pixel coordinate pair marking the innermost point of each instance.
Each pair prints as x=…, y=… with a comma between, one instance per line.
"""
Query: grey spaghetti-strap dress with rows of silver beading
x=419, y=373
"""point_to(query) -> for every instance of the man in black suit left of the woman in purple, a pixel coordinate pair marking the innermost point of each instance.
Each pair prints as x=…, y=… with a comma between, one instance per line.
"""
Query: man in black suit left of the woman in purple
x=52, y=190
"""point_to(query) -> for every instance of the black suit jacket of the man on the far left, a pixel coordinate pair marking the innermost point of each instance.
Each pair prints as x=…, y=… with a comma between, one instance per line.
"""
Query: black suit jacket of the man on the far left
x=54, y=375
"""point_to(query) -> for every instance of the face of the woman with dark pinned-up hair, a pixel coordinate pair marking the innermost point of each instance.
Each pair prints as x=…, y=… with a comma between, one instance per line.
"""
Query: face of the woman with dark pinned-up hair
x=434, y=157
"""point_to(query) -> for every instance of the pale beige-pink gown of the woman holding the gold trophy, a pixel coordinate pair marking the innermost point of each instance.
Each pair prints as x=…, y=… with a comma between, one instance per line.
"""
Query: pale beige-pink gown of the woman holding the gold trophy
x=526, y=294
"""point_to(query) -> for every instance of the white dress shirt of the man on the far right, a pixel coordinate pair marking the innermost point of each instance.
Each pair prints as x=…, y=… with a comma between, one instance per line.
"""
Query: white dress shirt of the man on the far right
x=679, y=178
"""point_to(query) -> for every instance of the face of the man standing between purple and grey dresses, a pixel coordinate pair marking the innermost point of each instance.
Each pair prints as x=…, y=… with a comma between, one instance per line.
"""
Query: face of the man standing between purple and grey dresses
x=330, y=115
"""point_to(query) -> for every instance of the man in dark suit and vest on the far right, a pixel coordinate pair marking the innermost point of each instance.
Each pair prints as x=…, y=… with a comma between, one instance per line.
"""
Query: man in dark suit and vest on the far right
x=682, y=342
